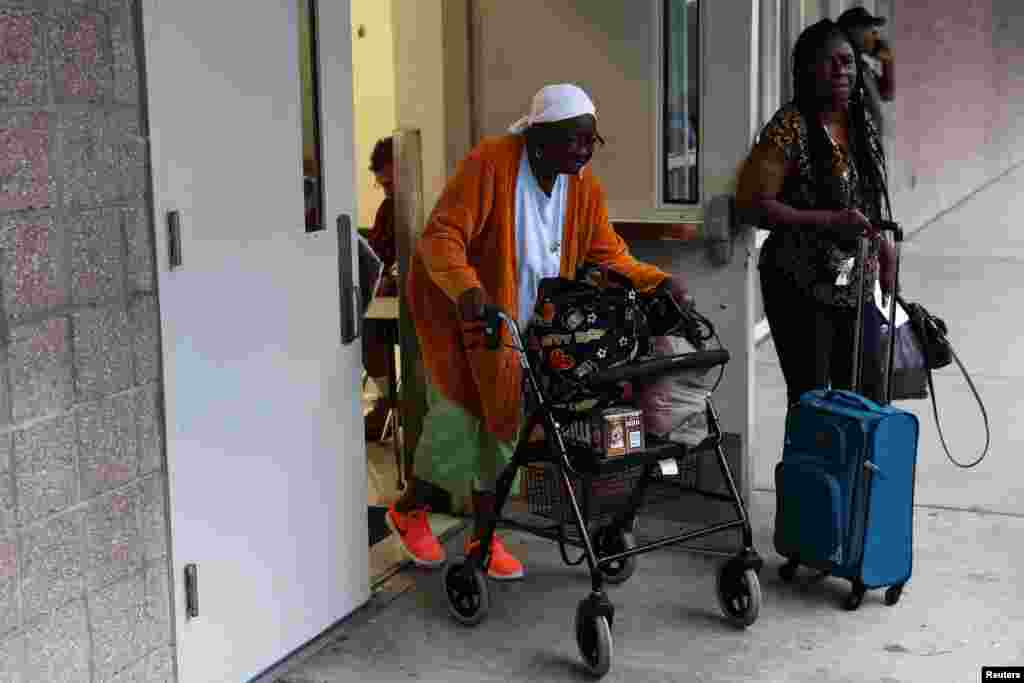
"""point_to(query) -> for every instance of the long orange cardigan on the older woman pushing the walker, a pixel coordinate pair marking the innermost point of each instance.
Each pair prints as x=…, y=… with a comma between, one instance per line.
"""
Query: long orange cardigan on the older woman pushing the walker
x=471, y=241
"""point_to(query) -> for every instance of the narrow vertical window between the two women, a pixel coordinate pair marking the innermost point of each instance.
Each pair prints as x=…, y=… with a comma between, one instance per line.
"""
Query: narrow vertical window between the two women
x=681, y=132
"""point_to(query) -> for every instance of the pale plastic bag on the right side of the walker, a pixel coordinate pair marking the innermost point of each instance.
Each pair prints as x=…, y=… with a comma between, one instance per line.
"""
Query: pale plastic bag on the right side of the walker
x=675, y=406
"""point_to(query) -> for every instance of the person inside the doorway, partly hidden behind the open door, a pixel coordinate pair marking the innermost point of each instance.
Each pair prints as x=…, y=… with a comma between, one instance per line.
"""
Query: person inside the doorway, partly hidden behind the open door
x=376, y=341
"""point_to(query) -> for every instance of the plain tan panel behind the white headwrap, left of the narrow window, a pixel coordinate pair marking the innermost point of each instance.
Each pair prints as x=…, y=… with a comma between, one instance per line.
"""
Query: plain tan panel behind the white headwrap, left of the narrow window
x=605, y=48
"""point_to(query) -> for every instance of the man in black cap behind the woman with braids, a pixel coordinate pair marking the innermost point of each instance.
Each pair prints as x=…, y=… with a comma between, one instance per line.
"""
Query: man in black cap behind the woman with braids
x=876, y=58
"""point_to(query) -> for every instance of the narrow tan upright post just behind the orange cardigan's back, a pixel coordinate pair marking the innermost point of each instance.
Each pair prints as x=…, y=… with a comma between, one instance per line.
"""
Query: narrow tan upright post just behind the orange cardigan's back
x=409, y=226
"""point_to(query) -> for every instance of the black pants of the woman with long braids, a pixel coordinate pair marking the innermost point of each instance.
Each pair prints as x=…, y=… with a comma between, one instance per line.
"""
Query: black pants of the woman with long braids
x=815, y=341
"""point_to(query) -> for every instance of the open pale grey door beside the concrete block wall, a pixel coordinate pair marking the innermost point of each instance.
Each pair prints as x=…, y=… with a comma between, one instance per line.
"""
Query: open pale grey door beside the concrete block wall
x=266, y=451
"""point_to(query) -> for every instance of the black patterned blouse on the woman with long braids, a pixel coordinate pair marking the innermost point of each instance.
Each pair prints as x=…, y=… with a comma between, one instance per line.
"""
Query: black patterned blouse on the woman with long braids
x=807, y=255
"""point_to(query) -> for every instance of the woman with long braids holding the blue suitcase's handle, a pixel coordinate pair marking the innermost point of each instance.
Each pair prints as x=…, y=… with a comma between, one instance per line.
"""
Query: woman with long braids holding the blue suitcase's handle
x=817, y=180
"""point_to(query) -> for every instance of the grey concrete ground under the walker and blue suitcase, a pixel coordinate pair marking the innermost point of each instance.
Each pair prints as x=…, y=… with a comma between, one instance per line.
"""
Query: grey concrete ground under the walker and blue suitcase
x=964, y=609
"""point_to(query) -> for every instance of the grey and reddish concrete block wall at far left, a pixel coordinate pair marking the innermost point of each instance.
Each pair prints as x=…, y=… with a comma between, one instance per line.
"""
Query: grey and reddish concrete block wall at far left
x=84, y=579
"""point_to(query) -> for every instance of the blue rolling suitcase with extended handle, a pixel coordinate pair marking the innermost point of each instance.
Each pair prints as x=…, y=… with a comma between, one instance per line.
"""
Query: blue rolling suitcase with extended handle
x=845, y=487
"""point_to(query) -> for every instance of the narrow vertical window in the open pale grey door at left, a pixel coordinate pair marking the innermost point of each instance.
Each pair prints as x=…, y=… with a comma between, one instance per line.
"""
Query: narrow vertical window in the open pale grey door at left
x=313, y=185
